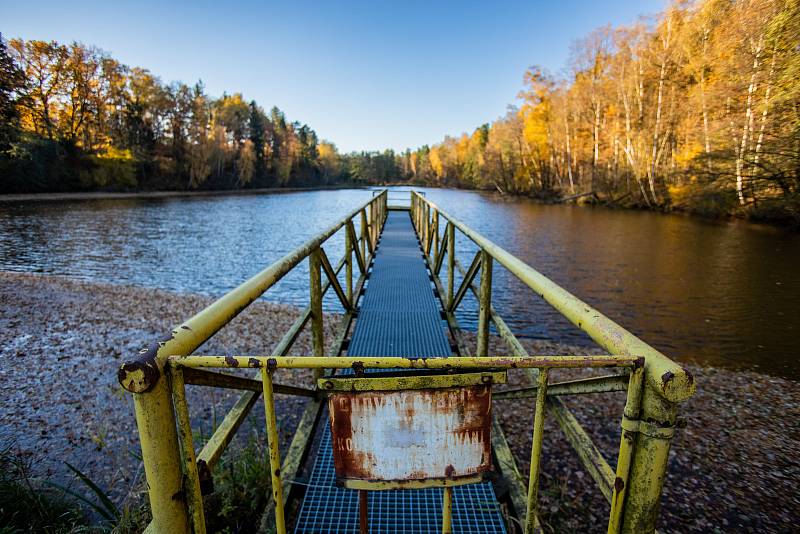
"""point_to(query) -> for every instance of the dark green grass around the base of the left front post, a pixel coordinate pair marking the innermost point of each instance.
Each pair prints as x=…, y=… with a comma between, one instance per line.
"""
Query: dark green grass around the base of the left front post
x=31, y=504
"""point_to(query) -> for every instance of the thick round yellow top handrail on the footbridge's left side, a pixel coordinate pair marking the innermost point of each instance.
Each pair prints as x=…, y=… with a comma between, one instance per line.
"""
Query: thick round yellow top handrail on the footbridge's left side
x=139, y=375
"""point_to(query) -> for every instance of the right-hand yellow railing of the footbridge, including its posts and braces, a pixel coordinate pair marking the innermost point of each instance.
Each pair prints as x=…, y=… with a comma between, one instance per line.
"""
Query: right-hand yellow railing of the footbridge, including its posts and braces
x=650, y=414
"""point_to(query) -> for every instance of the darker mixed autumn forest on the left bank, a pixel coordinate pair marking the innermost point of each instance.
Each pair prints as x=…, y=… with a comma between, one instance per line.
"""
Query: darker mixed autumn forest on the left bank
x=74, y=118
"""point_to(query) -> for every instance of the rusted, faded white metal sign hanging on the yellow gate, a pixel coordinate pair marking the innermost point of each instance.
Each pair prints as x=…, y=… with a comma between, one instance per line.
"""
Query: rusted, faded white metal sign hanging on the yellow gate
x=411, y=435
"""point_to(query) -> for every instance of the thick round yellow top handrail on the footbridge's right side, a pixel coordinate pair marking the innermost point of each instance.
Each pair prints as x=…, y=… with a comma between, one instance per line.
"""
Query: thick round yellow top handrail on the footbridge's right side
x=675, y=383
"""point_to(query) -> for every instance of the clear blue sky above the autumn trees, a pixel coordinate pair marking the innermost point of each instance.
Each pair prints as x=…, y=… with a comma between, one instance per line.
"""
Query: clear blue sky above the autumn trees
x=366, y=75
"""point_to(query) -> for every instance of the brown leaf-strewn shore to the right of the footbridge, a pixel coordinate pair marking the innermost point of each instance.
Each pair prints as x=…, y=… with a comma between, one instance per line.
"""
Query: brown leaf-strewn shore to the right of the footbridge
x=734, y=468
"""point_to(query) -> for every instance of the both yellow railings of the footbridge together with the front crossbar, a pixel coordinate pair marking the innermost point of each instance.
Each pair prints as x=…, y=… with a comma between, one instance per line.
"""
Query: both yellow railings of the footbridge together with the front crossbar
x=157, y=378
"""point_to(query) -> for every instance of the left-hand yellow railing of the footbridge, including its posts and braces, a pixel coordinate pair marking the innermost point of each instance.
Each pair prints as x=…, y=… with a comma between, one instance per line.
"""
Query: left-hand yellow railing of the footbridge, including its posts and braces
x=148, y=376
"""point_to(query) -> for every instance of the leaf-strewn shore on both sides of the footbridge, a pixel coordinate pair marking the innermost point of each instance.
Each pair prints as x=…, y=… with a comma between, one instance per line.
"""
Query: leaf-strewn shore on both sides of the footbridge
x=735, y=468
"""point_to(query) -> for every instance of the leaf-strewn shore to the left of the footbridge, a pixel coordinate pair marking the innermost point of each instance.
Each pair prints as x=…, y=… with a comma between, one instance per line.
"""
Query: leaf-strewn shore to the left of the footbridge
x=61, y=342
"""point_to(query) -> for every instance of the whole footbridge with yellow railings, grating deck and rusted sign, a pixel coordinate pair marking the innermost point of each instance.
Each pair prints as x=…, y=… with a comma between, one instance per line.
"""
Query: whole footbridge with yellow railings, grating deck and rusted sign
x=398, y=433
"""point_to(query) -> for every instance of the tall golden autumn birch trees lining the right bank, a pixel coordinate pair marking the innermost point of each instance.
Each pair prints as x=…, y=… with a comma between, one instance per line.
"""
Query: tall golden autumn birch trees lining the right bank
x=696, y=110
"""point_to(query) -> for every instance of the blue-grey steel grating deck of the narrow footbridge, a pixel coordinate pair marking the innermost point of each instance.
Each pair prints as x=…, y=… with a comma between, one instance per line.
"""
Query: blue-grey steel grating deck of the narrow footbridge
x=399, y=316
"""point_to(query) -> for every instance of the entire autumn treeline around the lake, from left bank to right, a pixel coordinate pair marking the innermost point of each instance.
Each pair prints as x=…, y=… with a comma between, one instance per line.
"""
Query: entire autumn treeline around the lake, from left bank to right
x=695, y=109
